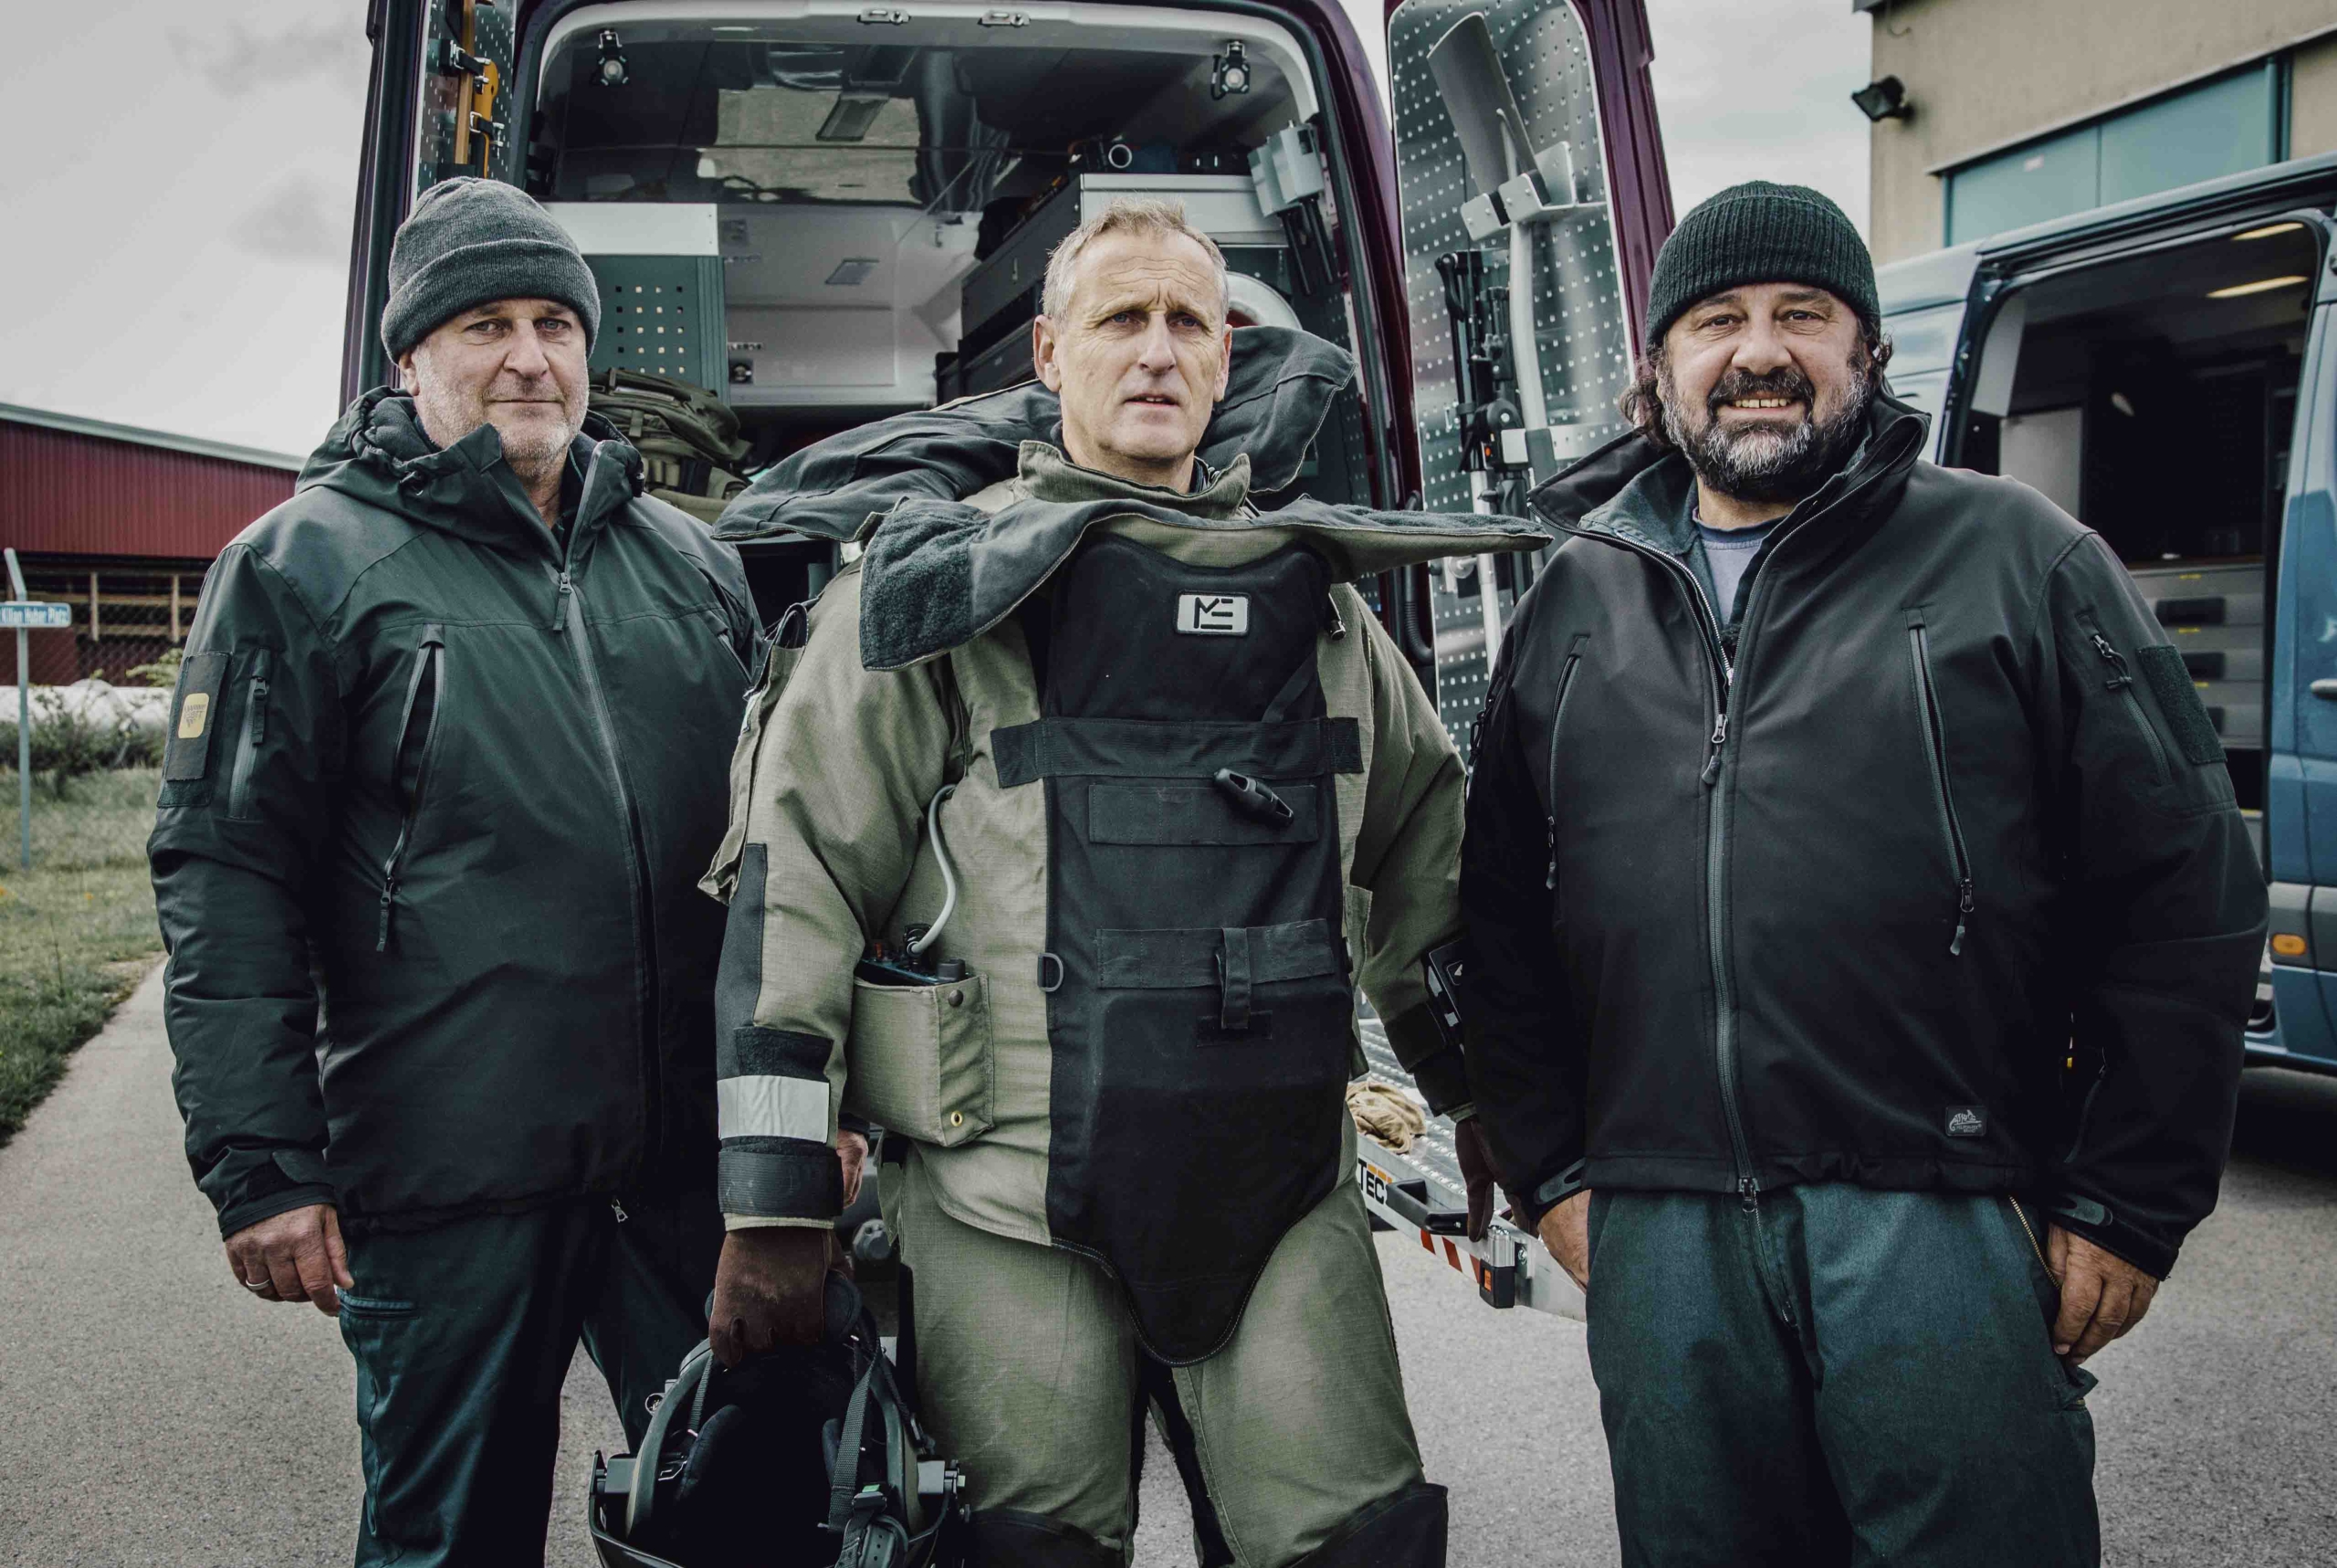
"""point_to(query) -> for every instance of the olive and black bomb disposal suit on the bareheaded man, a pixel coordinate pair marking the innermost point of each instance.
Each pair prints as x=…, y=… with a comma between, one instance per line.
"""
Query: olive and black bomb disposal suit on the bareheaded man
x=1179, y=796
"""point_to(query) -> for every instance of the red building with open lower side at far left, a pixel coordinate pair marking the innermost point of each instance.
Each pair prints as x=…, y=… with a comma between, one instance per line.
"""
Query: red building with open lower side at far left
x=120, y=525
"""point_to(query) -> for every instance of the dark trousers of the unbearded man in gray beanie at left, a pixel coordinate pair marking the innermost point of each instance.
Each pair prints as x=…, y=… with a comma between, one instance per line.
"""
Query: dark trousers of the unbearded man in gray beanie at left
x=464, y=1335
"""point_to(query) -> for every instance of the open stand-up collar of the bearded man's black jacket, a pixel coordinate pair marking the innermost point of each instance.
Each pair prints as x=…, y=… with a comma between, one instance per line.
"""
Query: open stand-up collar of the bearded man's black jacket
x=1637, y=490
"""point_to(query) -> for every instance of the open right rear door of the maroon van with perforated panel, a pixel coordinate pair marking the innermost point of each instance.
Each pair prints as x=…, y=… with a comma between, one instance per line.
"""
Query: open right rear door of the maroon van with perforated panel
x=1534, y=197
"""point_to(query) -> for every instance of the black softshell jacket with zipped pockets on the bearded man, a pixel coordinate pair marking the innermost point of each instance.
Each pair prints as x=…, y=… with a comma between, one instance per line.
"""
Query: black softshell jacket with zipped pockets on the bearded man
x=1932, y=880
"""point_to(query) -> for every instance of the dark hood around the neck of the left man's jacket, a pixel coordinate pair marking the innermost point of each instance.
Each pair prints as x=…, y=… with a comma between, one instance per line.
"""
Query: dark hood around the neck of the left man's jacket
x=380, y=455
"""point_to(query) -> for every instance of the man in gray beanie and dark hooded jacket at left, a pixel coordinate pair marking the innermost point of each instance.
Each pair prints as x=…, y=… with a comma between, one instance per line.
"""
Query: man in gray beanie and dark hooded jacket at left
x=450, y=754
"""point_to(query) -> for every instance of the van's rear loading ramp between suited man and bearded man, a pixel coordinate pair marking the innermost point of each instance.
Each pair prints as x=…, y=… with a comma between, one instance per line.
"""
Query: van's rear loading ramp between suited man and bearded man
x=1420, y=1191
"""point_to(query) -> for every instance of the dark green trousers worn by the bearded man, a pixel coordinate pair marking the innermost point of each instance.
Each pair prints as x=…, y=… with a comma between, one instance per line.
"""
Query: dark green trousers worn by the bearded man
x=1836, y=1378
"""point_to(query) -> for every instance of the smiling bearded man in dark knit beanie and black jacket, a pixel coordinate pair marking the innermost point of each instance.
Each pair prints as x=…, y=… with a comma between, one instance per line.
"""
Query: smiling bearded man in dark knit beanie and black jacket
x=1864, y=941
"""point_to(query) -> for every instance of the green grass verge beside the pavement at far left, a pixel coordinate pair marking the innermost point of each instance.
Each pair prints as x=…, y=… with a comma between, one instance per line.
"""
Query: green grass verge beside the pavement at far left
x=76, y=931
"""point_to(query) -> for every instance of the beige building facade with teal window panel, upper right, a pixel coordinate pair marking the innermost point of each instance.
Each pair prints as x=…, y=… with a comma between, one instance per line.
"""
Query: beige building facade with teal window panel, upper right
x=2023, y=111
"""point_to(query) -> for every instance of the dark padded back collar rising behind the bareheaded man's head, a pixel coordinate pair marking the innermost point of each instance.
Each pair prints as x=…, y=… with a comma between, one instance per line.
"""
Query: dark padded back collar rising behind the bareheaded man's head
x=1277, y=401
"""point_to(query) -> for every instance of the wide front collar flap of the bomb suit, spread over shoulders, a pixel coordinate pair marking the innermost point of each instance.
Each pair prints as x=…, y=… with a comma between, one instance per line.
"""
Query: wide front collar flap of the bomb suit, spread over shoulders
x=941, y=574
